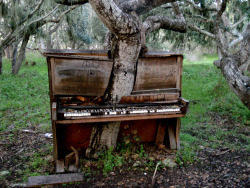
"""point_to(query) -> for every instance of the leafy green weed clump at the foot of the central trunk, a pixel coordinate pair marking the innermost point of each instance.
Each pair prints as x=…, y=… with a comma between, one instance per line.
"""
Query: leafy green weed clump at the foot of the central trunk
x=110, y=160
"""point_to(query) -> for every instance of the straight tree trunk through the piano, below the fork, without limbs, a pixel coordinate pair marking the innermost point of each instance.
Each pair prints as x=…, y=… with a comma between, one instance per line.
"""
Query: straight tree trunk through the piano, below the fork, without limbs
x=104, y=135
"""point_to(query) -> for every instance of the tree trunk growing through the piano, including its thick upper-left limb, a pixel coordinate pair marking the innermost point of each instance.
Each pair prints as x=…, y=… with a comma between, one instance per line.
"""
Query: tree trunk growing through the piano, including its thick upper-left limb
x=125, y=54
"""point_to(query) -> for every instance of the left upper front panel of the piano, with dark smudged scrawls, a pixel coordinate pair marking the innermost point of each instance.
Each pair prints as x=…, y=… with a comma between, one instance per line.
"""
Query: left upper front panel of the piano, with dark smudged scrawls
x=80, y=77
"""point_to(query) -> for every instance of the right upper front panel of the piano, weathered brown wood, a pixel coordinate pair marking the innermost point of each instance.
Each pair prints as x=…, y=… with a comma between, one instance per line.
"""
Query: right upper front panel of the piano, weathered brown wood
x=157, y=73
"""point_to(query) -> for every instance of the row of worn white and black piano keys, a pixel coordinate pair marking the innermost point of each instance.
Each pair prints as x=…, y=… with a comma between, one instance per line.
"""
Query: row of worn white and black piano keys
x=71, y=113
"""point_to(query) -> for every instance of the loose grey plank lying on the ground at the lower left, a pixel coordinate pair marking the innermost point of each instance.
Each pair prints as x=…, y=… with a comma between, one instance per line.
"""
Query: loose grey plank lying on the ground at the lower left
x=37, y=181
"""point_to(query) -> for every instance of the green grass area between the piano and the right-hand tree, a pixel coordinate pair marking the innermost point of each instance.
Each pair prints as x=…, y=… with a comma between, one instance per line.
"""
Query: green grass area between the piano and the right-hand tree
x=216, y=115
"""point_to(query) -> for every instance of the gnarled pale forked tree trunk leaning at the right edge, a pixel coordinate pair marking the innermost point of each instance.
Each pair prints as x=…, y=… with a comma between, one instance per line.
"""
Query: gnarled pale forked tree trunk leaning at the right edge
x=230, y=64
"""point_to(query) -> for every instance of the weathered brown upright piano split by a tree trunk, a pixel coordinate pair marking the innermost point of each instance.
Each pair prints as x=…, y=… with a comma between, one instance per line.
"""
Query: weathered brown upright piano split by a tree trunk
x=78, y=80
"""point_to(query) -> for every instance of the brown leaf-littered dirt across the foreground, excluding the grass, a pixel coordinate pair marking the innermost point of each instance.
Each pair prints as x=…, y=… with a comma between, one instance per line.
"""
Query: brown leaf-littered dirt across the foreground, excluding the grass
x=214, y=168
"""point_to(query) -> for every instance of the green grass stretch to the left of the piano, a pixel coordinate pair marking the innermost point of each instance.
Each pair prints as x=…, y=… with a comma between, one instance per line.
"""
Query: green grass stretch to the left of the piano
x=24, y=99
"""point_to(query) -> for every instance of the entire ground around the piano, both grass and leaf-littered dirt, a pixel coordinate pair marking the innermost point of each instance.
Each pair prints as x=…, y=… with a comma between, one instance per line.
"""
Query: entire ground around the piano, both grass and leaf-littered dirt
x=214, y=137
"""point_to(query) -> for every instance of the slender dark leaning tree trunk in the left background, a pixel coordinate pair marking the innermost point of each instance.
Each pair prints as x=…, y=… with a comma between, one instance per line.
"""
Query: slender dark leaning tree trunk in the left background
x=17, y=63
